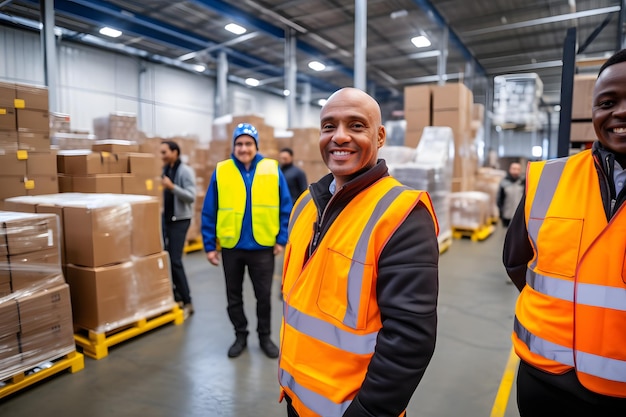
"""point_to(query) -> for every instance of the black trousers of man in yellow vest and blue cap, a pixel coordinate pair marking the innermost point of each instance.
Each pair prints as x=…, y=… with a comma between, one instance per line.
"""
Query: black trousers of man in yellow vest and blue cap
x=260, y=265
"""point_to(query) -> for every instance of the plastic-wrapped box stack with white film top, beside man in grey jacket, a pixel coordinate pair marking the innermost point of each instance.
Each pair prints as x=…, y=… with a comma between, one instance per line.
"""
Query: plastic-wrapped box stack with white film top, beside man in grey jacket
x=113, y=256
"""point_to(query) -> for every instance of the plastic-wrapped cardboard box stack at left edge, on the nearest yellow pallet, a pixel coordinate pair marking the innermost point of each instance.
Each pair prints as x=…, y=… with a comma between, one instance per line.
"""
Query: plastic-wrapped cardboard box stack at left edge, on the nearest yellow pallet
x=35, y=309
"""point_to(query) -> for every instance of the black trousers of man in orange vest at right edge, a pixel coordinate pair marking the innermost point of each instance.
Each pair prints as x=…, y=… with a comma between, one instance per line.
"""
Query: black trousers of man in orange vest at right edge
x=539, y=398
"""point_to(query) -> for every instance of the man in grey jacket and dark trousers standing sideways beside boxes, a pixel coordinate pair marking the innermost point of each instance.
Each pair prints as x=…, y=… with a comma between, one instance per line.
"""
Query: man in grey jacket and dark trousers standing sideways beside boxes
x=179, y=196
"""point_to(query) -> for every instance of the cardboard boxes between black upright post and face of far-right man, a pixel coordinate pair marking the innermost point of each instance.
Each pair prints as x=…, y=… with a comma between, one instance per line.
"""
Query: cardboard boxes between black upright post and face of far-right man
x=582, y=128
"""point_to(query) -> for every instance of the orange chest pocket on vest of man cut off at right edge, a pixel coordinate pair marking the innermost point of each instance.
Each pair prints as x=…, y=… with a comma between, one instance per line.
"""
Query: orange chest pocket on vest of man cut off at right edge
x=558, y=245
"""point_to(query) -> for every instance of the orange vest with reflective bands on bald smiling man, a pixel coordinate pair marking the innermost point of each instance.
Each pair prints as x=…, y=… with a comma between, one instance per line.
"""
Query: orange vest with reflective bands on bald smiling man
x=331, y=317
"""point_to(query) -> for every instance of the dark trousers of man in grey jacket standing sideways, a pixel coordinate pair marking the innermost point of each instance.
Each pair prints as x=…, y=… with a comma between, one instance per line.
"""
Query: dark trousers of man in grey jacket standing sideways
x=174, y=234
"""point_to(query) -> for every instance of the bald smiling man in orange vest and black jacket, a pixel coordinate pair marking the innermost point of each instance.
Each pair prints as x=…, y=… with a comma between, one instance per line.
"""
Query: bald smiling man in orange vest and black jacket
x=360, y=280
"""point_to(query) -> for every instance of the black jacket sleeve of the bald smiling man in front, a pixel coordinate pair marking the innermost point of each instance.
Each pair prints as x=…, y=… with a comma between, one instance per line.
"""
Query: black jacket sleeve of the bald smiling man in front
x=407, y=291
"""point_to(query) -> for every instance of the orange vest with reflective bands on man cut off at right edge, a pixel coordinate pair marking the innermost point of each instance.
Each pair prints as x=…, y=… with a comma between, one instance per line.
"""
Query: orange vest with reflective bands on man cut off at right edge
x=572, y=312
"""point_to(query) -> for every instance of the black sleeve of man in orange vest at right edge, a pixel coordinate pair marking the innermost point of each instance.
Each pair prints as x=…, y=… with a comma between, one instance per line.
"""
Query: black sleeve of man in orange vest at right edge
x=517, y=250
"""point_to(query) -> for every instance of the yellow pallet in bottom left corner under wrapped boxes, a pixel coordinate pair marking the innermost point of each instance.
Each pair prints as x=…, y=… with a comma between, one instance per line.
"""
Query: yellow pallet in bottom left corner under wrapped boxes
x=72, y=361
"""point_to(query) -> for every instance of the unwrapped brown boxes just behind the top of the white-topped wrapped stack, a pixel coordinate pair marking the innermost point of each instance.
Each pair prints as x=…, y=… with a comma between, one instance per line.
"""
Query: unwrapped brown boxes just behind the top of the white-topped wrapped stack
x=112, y=166
